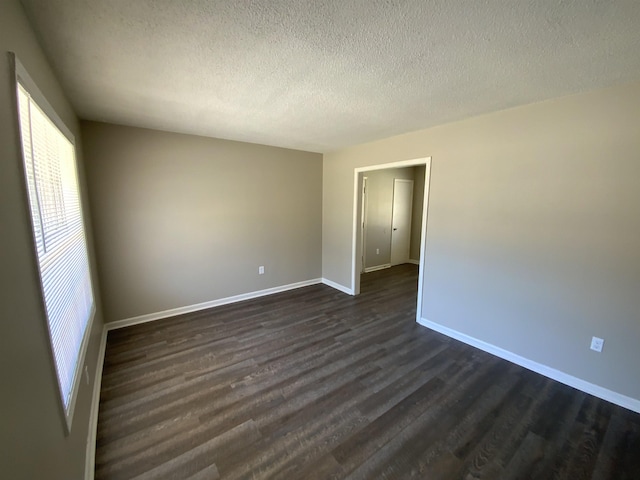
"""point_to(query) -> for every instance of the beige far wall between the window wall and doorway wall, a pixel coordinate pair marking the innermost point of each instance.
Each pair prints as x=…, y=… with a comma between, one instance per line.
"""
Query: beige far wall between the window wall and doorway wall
x=182, y=220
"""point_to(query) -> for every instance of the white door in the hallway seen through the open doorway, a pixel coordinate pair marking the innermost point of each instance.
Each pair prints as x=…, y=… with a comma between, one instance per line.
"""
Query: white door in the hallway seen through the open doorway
x=401, y=221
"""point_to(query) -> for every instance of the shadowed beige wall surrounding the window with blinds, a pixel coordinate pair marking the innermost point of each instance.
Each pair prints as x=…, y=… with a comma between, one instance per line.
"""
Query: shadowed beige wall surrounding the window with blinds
x=32, y=442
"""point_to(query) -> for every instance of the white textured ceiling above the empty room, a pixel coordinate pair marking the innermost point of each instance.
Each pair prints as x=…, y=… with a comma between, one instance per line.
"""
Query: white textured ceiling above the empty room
x=318, y=74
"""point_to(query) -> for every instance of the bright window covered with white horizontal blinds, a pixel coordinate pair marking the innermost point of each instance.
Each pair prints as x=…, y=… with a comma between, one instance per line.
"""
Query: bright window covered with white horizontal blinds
x=59, y=235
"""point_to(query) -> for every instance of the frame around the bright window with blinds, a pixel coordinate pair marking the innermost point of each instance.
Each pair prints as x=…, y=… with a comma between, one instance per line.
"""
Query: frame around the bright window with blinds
x=22, y=78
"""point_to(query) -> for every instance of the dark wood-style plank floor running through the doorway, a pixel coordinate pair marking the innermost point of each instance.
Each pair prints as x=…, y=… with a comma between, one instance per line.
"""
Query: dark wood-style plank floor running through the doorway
x=315, y=384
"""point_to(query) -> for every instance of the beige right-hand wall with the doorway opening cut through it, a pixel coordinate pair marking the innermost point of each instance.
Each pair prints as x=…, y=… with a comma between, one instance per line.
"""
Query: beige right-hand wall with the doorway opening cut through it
x=533, y=229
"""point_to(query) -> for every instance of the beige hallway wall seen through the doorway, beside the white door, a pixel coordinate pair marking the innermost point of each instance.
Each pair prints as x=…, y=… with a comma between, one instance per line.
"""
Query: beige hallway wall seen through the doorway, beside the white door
x=380, y=213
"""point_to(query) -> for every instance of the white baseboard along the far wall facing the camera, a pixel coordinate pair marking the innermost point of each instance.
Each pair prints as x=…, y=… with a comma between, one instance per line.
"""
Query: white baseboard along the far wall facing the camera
x=150, y=317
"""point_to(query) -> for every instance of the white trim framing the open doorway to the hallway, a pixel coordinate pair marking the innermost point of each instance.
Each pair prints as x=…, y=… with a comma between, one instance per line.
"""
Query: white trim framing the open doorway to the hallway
x=357, y=237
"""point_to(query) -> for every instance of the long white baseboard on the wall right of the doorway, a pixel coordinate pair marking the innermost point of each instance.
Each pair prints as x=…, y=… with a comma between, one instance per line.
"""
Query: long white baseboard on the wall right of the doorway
x=575, y=382
